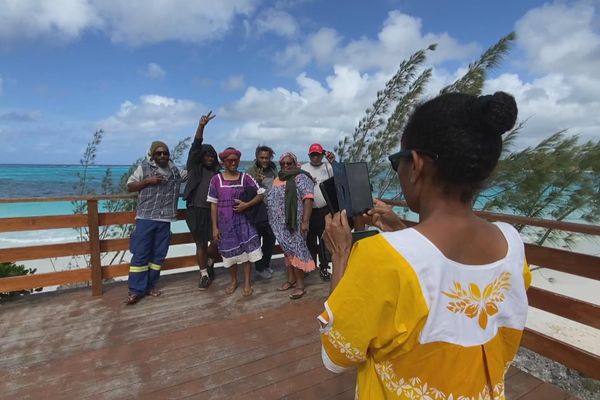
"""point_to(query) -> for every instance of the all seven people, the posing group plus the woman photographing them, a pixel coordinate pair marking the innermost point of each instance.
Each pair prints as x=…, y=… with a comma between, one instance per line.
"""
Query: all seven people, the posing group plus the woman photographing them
x=432, y=311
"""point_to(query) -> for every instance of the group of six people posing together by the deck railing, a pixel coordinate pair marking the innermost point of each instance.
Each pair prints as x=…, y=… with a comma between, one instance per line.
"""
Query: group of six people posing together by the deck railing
x=239, y=215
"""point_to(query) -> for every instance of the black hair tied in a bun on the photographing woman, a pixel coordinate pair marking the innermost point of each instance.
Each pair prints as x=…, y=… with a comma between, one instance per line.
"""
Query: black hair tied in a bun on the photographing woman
x=465, y=131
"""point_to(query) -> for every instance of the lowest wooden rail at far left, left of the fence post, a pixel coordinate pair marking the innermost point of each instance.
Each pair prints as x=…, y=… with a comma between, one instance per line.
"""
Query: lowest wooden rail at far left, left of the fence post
x=15, y=283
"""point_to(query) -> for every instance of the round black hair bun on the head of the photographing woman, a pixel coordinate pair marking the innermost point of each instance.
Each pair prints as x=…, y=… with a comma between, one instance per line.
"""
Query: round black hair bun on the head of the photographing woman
x=498, y=112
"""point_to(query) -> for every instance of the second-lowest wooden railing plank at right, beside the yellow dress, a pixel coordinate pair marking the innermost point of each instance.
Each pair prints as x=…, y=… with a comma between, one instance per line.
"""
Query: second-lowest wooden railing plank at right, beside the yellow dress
x=568, y=307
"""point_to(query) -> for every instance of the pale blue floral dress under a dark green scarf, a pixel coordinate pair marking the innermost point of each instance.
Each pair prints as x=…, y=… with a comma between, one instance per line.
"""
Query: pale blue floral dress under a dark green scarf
x=293, y=243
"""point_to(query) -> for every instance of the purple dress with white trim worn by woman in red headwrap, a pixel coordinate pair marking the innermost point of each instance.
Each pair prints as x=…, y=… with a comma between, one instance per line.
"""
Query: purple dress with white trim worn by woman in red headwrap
x=239, y=241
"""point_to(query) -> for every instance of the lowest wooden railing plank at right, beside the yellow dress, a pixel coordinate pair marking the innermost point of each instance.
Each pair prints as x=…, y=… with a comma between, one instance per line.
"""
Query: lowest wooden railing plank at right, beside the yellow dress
x=564, y=353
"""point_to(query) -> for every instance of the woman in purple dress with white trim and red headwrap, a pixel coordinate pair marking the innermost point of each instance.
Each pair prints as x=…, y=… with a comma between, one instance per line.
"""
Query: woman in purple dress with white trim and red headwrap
x=236, y=238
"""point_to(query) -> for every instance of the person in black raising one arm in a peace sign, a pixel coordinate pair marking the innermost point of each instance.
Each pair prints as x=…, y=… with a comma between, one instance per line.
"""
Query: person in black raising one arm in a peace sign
x=201, y=166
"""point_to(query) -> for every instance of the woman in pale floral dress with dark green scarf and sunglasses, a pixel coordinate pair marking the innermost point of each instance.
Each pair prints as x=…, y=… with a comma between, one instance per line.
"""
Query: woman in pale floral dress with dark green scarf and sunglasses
x=289, y=203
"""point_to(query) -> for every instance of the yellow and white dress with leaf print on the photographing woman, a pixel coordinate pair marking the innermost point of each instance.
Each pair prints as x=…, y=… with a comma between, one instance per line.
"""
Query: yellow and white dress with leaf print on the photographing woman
x=420, y=326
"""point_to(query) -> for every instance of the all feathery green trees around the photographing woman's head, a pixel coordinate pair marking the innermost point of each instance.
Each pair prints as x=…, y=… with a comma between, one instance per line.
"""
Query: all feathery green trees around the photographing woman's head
x=557, y=179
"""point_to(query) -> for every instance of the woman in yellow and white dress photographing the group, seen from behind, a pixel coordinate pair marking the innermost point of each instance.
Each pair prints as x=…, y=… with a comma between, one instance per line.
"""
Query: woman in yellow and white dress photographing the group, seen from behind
x=435, y=311
